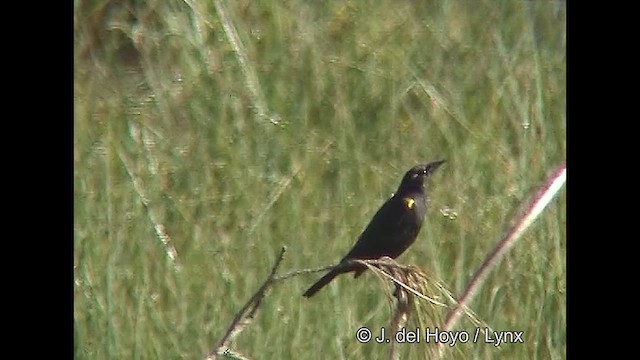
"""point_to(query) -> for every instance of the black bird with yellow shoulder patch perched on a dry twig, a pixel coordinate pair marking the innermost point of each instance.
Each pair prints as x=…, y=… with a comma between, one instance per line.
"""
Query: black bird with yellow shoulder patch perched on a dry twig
x=393, y=228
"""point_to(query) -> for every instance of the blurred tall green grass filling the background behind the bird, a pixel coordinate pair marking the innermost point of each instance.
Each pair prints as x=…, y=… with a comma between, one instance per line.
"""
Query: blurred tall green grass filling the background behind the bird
x=167, y=110
